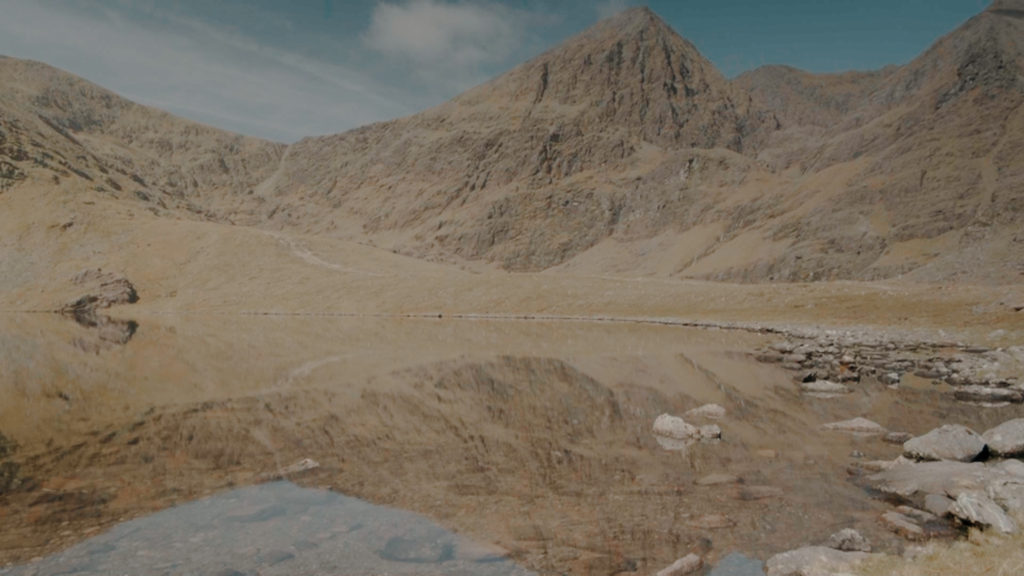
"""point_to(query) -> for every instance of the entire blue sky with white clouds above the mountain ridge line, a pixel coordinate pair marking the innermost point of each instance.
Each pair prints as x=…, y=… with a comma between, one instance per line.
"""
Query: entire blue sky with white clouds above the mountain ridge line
x=288, y=69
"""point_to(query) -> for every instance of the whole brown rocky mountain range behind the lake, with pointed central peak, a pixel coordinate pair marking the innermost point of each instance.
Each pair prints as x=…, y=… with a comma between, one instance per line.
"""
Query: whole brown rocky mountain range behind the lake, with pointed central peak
x=622, y=152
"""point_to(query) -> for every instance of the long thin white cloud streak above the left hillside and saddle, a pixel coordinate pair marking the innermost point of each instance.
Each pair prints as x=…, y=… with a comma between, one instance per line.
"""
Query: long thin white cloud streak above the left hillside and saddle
x=193, y=69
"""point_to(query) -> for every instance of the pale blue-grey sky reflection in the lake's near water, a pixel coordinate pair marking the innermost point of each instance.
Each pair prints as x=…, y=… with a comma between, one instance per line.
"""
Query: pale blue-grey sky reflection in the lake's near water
x=277, y=528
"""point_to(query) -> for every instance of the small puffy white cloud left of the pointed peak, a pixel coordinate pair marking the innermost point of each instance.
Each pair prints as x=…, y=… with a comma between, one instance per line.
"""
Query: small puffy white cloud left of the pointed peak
x=449, y=44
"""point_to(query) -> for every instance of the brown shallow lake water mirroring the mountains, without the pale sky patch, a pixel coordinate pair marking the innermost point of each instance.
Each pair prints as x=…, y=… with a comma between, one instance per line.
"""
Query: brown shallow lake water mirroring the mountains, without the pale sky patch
x=531, y=439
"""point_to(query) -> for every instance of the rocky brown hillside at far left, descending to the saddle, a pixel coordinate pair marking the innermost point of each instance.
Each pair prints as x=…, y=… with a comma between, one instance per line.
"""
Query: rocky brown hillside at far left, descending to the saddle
x=56, y=125
